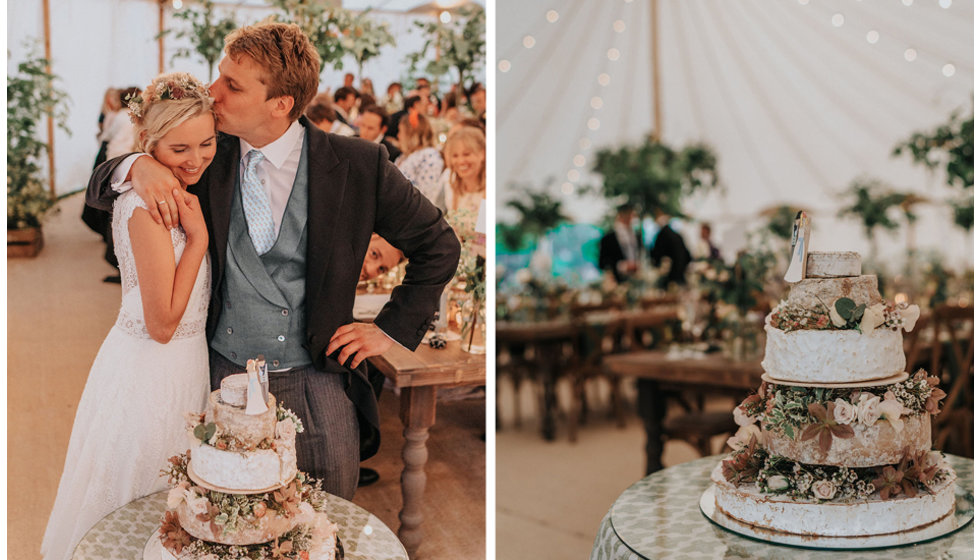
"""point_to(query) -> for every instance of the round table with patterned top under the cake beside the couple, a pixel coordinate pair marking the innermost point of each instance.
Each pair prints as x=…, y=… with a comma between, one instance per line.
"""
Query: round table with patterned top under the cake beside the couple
x=122, y=534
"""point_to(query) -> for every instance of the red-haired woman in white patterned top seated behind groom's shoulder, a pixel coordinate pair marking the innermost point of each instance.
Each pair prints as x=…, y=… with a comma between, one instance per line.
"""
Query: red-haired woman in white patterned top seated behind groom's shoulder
x=420, y=161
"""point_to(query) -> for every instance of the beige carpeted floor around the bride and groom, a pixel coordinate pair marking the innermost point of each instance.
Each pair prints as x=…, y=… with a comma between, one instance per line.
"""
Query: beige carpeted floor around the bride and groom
x=59, y=311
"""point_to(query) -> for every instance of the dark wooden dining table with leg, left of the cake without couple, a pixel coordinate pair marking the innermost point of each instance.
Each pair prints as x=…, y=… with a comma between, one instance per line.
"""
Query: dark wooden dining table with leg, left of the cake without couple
x=658, y=372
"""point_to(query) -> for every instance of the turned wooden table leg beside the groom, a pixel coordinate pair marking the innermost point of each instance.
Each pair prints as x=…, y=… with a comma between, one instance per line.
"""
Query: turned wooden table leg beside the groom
x=418, y=413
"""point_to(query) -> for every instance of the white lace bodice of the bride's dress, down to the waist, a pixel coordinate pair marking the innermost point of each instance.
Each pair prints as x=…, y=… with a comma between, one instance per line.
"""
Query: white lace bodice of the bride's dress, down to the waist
x=130, y=317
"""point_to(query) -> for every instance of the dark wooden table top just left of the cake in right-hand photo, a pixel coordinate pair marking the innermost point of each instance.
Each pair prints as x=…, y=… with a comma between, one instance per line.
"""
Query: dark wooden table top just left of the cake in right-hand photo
x=710, y=369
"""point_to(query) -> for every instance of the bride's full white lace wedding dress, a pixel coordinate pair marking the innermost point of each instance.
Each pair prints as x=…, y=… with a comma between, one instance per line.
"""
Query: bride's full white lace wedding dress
x=130, y=419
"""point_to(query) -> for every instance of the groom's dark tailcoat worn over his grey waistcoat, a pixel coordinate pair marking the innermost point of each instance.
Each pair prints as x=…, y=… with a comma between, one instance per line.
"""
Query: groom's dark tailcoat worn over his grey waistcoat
x=353, y=191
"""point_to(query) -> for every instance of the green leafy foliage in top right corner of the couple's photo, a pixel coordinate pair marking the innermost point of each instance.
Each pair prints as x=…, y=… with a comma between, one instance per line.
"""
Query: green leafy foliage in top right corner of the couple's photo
x=460, y=45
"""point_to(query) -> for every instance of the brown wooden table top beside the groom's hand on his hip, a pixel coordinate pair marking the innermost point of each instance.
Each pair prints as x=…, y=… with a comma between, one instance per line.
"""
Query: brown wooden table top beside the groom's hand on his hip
x=428, y=366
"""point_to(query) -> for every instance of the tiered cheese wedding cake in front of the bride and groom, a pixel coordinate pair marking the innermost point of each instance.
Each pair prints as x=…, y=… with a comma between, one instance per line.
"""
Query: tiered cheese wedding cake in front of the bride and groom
x=237, y=493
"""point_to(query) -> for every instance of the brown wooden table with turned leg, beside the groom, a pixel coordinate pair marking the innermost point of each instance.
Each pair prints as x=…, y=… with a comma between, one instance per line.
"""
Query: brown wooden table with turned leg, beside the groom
x=417, y=375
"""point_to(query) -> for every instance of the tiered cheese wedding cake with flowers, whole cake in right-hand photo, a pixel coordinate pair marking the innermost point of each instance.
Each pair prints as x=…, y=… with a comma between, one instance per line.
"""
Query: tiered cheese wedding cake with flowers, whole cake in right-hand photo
x=837, y=441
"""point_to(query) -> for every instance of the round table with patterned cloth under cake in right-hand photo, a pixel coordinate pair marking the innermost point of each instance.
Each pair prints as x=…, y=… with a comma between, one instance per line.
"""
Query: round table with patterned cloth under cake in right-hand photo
x=659, y=517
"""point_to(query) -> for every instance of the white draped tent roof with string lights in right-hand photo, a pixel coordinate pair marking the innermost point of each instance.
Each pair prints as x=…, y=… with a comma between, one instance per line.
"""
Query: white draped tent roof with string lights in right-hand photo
x=796, y=98
